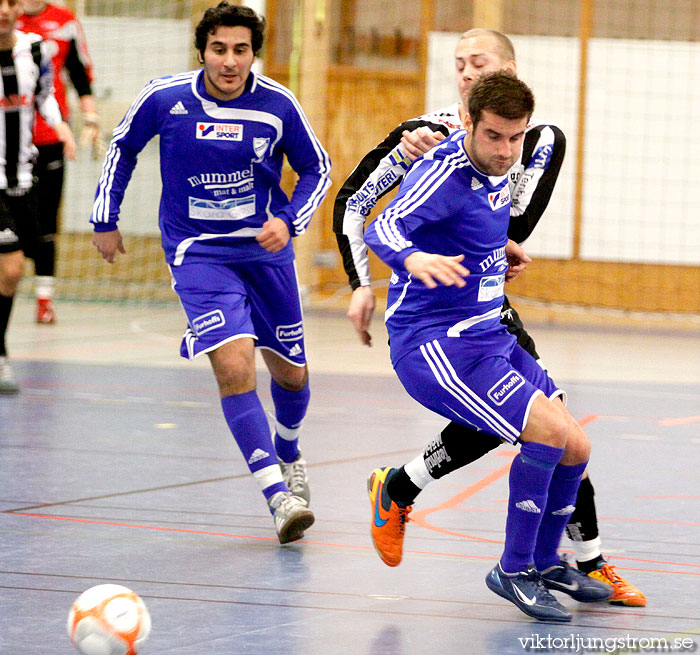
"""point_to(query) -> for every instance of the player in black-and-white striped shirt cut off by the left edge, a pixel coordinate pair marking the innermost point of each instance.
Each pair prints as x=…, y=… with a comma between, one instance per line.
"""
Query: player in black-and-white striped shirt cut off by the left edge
x=26, y=82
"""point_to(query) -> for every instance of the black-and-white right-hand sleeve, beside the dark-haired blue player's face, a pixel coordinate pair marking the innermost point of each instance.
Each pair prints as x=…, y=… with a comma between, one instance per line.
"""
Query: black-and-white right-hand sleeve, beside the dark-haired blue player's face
x=540, y=169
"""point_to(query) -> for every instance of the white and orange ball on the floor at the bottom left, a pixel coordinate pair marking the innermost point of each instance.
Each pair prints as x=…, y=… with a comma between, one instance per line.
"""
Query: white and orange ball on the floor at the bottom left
x=108, y=620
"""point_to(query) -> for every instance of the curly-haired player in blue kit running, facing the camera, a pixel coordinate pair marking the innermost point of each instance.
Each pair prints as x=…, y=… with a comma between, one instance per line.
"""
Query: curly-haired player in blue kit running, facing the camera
x=226, y=226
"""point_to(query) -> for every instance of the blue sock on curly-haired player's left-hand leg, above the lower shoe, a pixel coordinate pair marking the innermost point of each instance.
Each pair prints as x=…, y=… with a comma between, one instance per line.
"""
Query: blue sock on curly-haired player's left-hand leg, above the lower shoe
x=247, y=421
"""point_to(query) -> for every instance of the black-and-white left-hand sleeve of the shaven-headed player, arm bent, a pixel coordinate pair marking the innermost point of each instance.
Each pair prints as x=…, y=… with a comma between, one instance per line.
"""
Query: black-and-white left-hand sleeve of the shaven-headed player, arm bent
x=371, y=164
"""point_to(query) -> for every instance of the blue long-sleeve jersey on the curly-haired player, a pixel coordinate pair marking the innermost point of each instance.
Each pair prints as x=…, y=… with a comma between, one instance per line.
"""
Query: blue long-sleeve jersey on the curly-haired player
x=220, y=164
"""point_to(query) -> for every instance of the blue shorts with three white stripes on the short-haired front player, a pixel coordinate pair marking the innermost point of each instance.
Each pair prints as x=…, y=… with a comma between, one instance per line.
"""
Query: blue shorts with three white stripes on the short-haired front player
x=488, y=383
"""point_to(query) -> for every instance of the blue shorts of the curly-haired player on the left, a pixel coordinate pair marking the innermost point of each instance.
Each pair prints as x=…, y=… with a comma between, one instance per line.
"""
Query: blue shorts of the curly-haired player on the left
x=224, y=302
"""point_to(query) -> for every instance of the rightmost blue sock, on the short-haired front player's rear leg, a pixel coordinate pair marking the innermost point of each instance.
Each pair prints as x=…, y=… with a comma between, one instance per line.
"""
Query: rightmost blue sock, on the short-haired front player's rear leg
x=561, y=500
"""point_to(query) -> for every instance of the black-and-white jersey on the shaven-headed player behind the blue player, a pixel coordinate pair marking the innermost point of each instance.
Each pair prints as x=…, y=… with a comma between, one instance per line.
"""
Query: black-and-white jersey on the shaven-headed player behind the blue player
x=531, y=183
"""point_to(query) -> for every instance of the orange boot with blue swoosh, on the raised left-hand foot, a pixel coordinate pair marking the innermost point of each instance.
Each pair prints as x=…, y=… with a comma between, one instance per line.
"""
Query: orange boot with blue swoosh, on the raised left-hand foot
x=388, y=519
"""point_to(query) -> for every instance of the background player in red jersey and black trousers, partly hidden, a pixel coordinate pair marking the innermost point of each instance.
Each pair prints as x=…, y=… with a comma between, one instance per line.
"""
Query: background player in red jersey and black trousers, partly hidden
x=60, y=28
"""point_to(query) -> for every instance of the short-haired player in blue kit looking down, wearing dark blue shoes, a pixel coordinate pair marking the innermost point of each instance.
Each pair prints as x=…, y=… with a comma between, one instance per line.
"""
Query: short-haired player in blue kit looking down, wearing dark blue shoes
x=445, y=237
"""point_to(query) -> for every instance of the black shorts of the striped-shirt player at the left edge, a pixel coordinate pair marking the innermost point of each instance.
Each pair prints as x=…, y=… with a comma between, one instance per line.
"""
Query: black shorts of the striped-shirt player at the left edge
x=19, y=223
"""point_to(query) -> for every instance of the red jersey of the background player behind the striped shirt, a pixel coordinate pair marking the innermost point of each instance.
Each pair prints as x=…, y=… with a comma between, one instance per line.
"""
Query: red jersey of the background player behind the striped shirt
x=60, y=28
